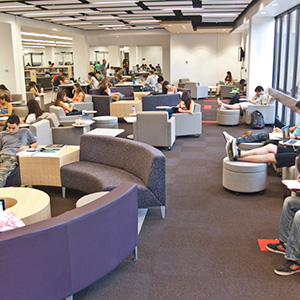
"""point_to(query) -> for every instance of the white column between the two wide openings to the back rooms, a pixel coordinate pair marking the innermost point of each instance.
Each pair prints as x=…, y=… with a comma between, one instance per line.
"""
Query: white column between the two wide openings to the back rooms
x=81, y=57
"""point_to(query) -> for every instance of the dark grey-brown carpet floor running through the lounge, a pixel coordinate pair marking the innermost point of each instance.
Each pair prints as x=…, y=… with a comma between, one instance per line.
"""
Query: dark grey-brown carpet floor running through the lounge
x=206, y=248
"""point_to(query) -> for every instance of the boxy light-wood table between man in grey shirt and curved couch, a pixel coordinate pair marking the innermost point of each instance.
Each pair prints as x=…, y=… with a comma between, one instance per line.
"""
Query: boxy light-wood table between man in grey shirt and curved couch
x=45, y=170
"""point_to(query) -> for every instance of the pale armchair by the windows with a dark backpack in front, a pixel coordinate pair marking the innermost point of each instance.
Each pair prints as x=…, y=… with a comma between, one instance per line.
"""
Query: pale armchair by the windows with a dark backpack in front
x=268, y=112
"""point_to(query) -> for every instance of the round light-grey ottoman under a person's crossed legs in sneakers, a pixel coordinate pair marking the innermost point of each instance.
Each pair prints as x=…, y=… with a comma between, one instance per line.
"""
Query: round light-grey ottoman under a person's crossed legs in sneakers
x=244, y=177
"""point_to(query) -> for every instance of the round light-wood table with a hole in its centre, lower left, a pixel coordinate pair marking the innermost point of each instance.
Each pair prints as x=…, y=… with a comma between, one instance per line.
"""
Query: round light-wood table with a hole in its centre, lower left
x=30, y=205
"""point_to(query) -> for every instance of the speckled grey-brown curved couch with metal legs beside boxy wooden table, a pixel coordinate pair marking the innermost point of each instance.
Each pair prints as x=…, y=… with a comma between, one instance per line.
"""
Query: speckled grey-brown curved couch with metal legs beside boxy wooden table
x=106, y=162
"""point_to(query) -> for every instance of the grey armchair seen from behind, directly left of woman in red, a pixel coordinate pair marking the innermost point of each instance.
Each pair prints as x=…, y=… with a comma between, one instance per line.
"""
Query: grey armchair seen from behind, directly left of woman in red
x=154, y=128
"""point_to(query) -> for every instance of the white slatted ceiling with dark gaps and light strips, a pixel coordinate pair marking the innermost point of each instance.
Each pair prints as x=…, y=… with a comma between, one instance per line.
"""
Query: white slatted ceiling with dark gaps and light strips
x=127, y=14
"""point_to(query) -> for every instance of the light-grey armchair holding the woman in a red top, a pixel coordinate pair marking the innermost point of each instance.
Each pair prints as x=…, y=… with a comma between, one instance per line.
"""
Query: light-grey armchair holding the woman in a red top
x=189, y=123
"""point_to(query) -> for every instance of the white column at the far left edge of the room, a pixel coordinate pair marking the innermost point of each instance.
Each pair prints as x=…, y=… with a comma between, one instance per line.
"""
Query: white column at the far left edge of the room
x=12, y=69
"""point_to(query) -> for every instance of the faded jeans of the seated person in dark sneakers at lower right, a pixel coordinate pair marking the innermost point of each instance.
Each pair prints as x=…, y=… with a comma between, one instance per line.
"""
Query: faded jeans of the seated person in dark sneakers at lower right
x=289, y=229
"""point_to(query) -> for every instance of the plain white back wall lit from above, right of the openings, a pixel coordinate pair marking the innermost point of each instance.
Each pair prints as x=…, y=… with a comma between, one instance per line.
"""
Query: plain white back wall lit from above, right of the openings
x=204, y=58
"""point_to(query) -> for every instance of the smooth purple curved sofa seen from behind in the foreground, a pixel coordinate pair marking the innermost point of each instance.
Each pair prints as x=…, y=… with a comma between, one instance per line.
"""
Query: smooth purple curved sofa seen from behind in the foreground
x=58, y=257
